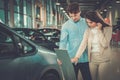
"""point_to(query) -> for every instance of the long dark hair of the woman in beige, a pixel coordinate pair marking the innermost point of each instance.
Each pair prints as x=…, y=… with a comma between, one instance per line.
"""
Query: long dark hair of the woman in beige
x=96, y=17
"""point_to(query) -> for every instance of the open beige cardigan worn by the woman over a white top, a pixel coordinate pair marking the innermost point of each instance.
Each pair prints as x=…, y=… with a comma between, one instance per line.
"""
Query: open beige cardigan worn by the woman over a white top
x=104, y=39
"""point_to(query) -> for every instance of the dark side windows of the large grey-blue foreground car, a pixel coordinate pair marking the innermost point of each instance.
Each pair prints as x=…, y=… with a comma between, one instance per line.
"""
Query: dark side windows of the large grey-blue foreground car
x=9, y=44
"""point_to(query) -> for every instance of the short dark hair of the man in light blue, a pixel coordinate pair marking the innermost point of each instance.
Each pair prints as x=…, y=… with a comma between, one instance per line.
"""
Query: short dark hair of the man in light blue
x=73, y=8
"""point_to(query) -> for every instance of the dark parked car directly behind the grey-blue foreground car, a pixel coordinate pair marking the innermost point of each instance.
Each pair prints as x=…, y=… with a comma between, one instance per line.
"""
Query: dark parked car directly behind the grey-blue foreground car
x=37, y=37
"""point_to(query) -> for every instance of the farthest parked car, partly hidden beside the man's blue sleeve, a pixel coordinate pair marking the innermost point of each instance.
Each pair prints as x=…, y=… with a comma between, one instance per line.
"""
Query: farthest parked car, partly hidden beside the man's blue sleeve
x=52, y=34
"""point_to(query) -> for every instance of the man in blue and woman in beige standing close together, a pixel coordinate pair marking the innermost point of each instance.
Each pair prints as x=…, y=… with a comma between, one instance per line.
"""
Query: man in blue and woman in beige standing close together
x=86, y=40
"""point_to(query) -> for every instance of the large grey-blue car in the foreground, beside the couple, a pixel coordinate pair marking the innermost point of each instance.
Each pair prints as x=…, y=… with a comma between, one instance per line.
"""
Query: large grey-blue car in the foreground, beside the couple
x=21, y=59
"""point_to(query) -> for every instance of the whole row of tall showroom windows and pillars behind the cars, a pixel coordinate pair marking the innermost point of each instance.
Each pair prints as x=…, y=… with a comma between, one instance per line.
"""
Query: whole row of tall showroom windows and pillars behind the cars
x=24, y=13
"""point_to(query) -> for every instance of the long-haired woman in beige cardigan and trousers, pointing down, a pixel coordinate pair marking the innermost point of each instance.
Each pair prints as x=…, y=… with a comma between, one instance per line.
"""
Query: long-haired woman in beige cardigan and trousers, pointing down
x=97, y=39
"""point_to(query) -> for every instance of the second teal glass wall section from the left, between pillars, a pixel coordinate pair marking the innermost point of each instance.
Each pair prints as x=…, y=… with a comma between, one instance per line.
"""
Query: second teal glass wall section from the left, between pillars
x=23, y=13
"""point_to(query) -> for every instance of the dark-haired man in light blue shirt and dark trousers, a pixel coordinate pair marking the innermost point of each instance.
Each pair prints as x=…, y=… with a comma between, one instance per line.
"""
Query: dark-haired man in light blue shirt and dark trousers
x=71, y=36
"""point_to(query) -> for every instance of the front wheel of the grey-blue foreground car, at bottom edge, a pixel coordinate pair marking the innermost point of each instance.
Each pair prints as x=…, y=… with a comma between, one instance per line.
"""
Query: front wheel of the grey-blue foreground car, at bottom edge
x=50, y=76
